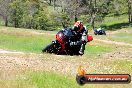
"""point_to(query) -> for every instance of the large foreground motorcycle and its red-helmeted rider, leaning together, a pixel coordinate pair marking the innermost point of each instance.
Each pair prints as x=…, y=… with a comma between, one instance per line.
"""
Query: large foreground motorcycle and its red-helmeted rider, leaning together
x=69, y=41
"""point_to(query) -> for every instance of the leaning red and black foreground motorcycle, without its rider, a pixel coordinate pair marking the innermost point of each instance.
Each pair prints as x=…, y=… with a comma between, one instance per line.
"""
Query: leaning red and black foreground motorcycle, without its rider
x=61, y=45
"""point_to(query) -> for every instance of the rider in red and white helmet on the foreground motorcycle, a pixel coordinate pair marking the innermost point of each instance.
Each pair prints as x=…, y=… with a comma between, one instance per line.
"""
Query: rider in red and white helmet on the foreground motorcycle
x=80, y=36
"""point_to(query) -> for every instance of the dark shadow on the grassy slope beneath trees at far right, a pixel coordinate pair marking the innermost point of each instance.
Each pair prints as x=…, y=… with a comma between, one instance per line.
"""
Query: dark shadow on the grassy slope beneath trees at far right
x=118, y=26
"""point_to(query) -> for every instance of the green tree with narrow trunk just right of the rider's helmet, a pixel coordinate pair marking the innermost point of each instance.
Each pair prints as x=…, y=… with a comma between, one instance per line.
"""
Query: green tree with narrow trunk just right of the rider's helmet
x=97, y=10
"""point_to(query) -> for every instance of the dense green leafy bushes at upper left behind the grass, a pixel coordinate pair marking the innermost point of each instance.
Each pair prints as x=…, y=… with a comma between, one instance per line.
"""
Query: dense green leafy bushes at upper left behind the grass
x=21, y=15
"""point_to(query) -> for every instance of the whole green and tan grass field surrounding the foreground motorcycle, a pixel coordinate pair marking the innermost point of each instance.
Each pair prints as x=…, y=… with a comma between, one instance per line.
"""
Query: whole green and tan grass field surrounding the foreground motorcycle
x=32, y=69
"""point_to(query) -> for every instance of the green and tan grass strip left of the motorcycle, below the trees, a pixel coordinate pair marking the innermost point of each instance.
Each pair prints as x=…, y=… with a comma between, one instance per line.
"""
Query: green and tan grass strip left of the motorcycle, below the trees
x=23, y=40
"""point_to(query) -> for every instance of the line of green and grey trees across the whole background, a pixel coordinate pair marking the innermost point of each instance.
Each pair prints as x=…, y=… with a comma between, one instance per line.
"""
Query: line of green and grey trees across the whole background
x=52, y=14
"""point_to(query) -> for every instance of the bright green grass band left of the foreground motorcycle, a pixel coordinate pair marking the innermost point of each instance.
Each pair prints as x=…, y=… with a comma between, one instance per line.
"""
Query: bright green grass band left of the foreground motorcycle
x=30, y=44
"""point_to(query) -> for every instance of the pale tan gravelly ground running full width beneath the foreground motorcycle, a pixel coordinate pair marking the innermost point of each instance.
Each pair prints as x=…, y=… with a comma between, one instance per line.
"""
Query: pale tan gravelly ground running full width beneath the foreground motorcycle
x=13, y=64
